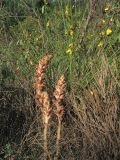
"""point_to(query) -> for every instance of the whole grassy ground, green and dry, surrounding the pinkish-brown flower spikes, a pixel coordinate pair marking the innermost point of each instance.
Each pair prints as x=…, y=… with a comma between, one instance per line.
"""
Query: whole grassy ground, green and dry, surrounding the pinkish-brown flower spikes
x=84, y=41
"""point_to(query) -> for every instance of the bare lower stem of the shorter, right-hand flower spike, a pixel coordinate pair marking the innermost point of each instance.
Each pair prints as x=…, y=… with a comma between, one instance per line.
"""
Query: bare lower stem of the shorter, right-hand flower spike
x=58, y=139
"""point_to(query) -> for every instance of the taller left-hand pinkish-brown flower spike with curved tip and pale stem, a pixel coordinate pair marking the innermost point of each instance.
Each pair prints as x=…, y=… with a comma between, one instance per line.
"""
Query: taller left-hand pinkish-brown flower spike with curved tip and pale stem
x=42, y=98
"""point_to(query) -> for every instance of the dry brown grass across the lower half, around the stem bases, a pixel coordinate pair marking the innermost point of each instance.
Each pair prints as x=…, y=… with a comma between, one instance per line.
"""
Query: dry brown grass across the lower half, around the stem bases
x=90, y=126
